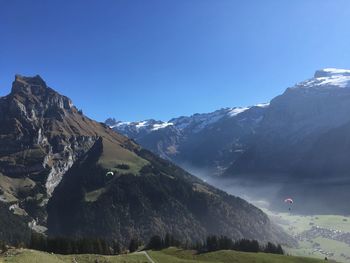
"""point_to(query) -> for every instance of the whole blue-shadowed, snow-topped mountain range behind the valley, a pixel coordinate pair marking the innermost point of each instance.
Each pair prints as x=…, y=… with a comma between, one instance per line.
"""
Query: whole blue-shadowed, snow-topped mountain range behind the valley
x=300, y=139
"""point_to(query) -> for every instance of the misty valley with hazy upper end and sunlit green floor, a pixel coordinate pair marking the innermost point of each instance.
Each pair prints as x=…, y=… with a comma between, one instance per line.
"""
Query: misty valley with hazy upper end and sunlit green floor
x=318, y=235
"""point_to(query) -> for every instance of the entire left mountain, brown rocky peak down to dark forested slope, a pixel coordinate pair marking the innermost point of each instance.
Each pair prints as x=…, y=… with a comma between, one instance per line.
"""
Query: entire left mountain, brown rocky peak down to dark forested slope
x=64, y=174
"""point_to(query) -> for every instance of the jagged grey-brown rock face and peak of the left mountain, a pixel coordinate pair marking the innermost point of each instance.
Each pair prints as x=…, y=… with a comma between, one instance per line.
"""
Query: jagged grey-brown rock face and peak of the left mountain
x=41, y=135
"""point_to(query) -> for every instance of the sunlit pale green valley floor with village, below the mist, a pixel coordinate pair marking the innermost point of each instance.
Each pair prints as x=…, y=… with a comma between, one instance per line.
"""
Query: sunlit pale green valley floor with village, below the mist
x=318, y=236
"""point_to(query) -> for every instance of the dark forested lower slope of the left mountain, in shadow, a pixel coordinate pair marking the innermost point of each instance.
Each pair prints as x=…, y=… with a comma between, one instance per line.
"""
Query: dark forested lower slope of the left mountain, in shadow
x=162, y=198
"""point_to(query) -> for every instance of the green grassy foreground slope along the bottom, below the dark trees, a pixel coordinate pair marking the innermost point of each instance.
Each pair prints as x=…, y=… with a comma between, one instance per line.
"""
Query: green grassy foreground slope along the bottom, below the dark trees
x=171, y=255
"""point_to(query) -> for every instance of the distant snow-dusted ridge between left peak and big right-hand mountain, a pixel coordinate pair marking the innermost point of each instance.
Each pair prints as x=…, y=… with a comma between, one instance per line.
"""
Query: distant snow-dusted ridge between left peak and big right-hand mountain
x=179, y=139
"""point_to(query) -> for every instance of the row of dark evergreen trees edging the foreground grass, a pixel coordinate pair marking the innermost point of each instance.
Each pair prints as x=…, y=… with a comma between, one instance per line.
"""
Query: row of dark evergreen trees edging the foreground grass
x=63, y=245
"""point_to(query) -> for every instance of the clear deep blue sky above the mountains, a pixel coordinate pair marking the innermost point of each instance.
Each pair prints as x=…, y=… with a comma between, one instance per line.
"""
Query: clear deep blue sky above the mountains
x=139, y=59
